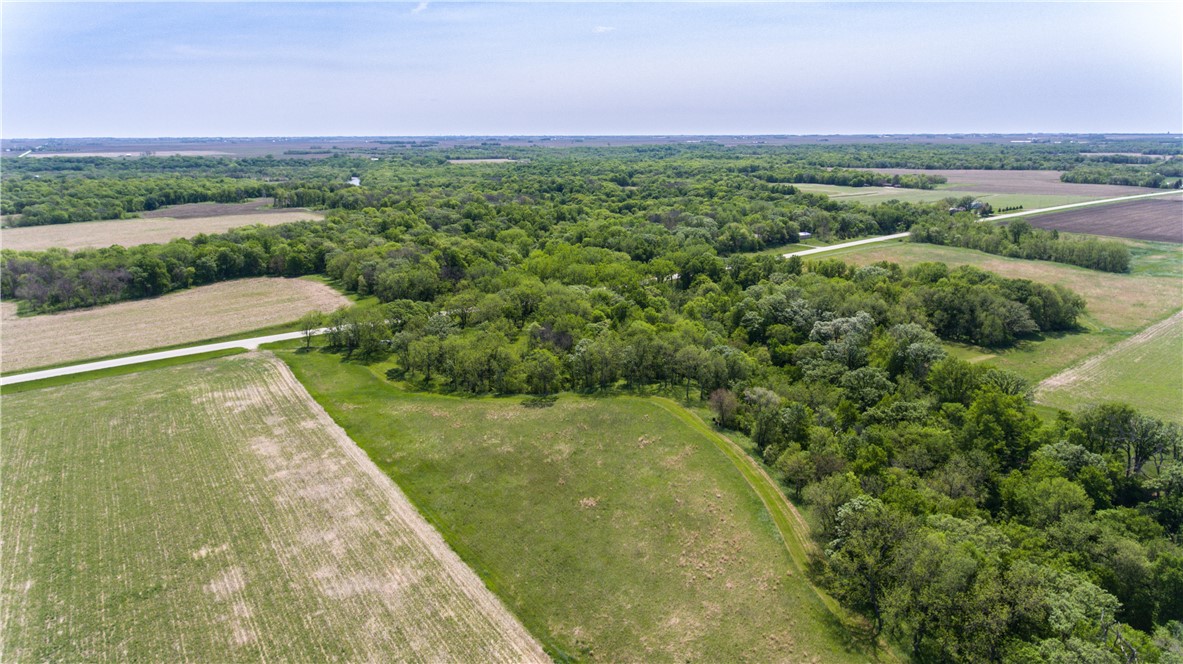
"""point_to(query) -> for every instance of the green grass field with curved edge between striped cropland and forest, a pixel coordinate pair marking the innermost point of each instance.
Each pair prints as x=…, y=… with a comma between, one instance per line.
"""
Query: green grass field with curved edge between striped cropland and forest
x=616, y=531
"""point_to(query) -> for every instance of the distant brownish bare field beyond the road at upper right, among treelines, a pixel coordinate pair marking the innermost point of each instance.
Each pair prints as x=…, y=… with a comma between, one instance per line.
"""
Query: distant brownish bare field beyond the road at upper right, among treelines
x=1018, y=183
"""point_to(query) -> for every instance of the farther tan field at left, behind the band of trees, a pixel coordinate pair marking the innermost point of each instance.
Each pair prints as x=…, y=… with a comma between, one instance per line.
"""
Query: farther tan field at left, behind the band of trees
x=131, y=233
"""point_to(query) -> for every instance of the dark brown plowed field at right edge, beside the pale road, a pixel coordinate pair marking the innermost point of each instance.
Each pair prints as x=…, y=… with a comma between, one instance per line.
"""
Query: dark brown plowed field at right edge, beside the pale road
x=1160, y=220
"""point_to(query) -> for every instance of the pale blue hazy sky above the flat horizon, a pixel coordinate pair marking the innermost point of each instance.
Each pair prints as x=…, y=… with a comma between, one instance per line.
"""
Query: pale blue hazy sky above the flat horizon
x=410, y=69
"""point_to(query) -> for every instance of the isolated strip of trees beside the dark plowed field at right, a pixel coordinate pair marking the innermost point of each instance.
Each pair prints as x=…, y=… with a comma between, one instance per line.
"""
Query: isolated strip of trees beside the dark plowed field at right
x=1020, y=240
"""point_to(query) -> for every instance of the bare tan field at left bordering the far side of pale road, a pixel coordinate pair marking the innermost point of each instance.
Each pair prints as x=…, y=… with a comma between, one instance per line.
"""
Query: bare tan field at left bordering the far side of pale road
x=180, y=318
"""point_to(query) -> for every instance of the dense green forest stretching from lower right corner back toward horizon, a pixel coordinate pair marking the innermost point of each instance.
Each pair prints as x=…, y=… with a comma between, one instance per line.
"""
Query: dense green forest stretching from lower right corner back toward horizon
x=959, y=523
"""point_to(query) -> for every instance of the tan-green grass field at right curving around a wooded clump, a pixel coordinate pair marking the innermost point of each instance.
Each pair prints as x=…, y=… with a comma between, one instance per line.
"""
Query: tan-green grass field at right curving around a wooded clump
x=1119, y=306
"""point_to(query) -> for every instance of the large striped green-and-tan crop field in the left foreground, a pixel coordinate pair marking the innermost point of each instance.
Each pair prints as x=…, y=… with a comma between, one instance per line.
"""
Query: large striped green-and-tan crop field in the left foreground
x=215, y=513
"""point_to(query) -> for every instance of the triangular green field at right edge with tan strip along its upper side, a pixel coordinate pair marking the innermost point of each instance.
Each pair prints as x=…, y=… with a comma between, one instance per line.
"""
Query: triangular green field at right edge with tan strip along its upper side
x=1146, y=370
